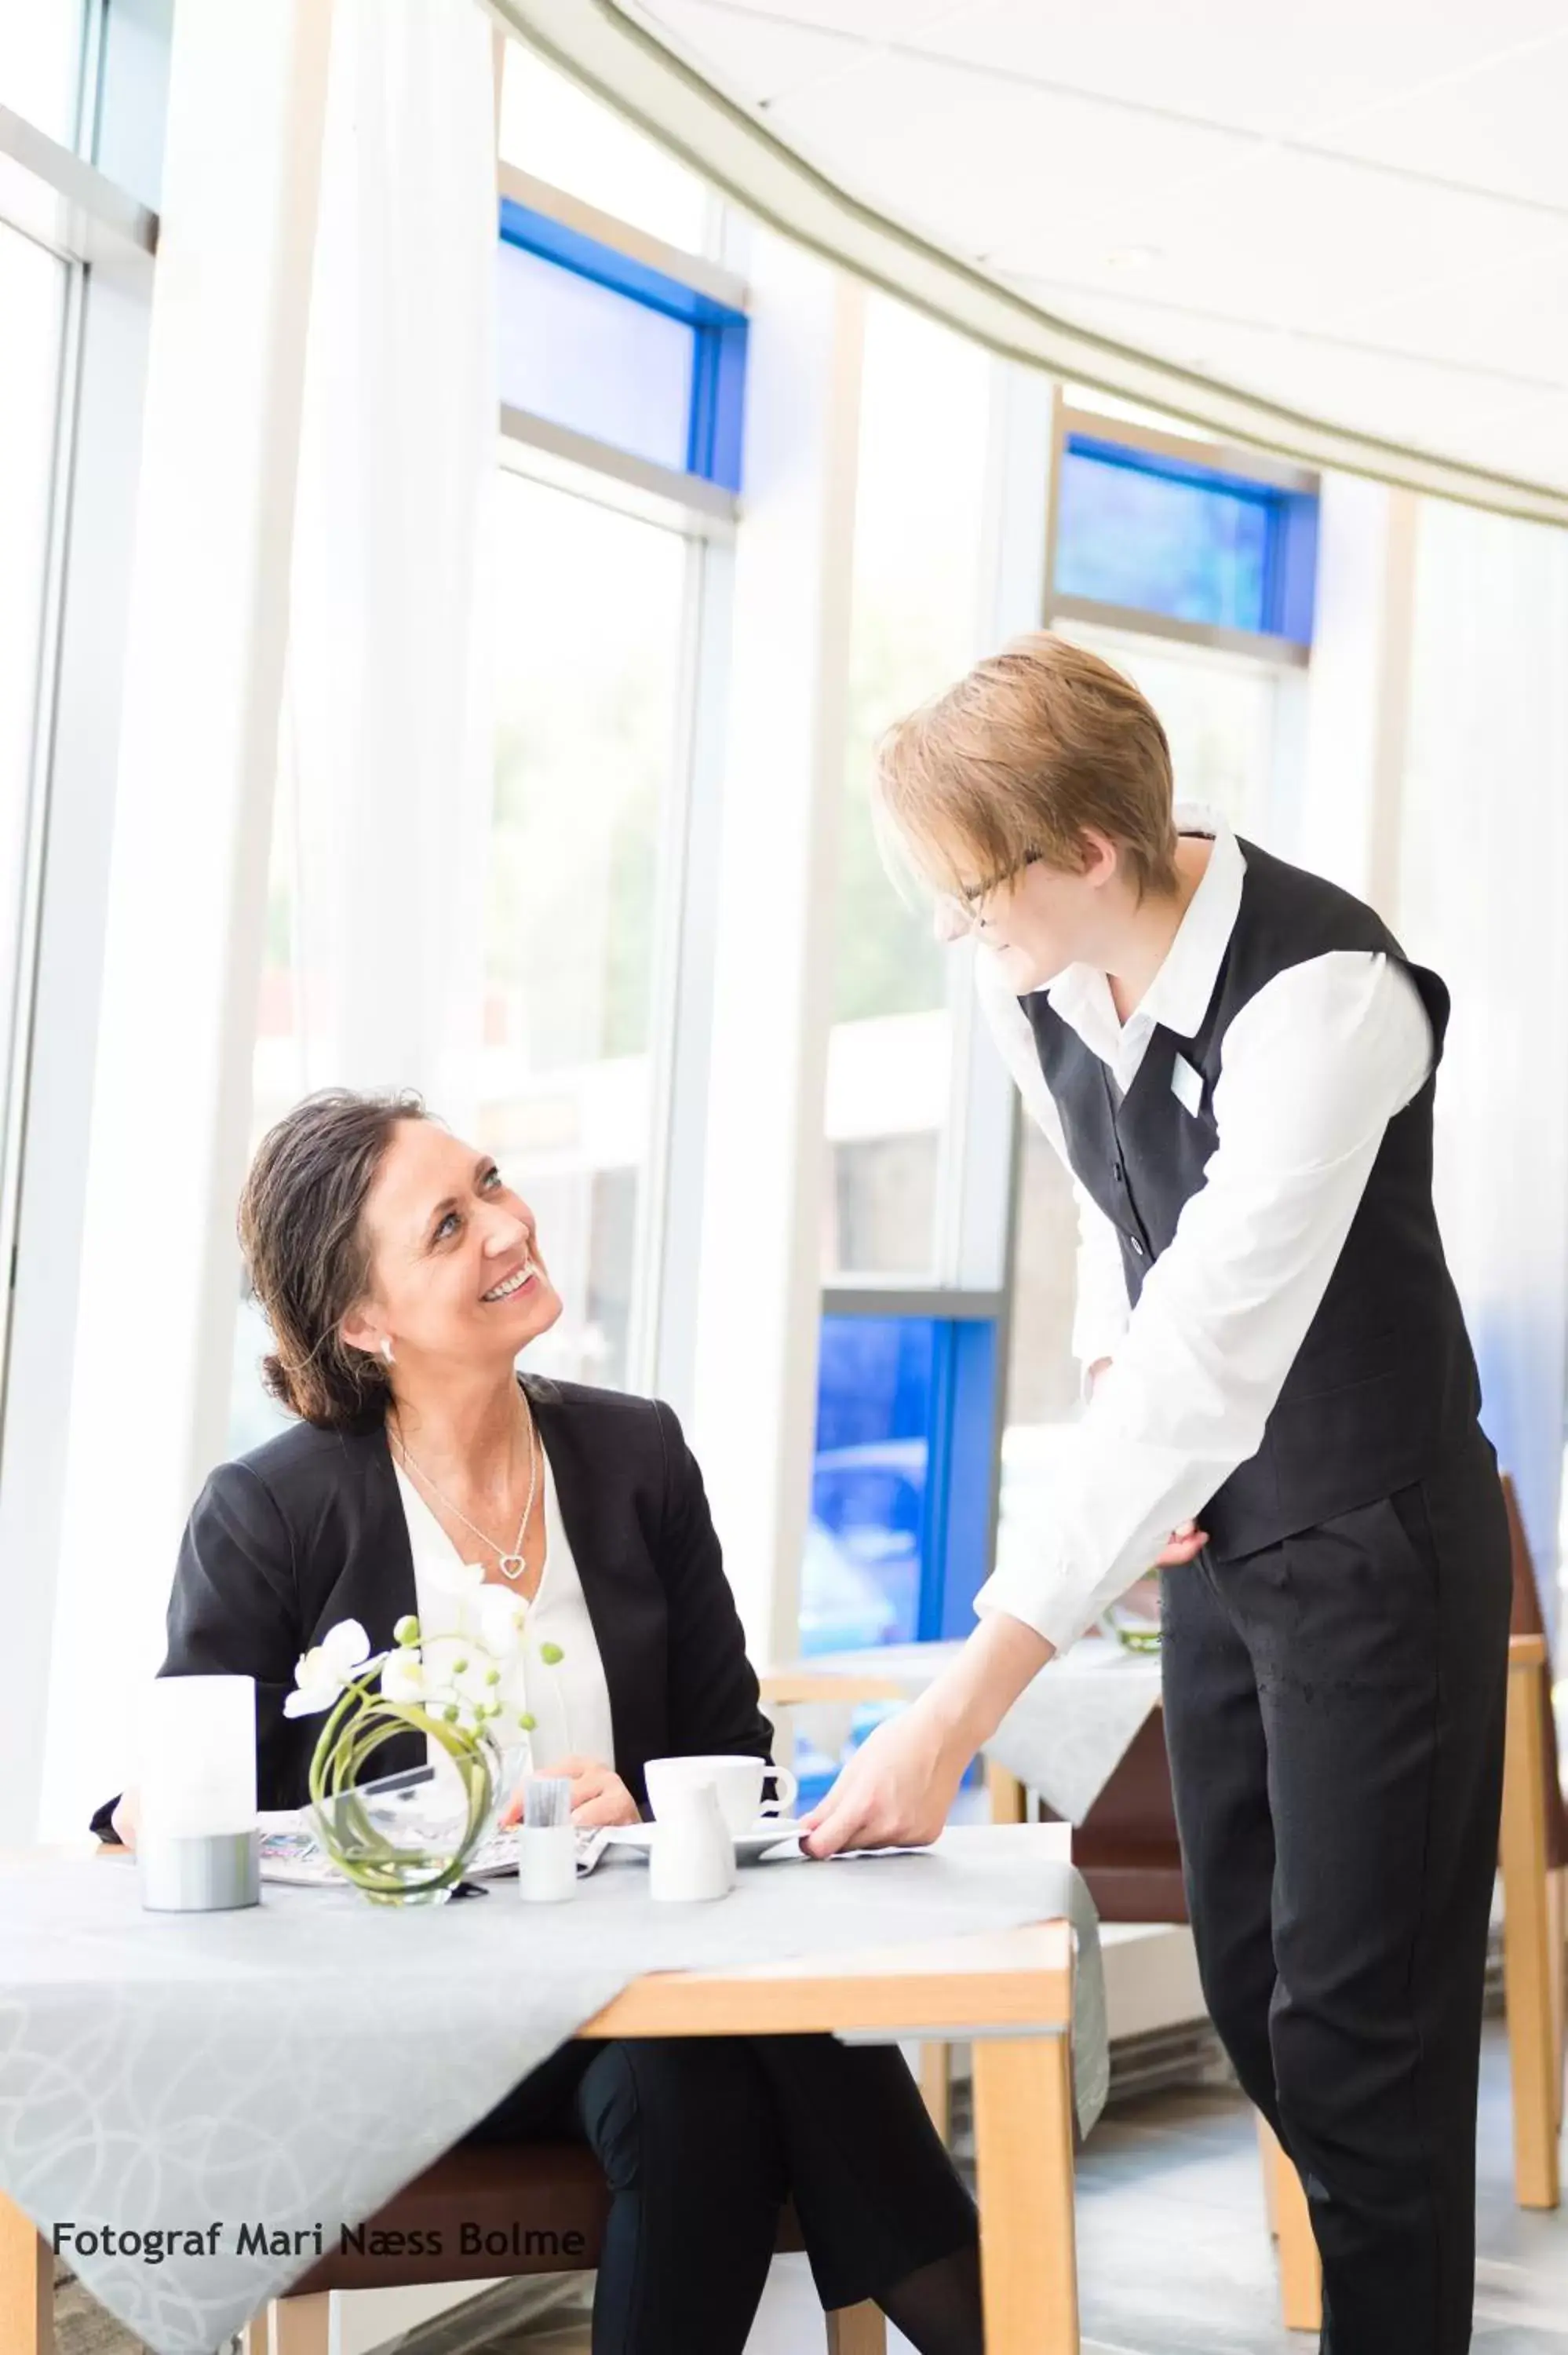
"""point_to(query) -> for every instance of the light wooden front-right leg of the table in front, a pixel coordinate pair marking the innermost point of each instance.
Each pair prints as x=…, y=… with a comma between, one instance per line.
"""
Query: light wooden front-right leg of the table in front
x=1025, y=2175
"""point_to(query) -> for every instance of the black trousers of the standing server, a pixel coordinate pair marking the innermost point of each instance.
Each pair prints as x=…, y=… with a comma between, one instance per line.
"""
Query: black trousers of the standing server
x=1334, y=1711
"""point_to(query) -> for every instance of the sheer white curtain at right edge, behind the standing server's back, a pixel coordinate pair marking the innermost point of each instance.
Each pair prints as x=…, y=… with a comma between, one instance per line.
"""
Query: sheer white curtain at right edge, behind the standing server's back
x=1484, y=884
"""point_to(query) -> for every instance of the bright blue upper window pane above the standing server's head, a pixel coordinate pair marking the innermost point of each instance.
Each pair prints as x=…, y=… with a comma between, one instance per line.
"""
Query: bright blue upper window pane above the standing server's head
x=1164, y=543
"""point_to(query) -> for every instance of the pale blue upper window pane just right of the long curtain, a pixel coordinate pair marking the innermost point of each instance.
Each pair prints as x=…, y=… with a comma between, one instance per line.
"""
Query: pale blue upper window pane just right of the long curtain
x=592, y=359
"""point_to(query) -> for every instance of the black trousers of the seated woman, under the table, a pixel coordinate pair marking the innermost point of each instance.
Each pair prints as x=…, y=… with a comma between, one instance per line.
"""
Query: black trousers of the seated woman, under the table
x=705, y=2137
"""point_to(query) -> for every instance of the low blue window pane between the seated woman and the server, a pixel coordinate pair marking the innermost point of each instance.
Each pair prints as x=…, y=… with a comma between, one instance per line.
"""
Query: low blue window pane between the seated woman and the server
x=865, y=1548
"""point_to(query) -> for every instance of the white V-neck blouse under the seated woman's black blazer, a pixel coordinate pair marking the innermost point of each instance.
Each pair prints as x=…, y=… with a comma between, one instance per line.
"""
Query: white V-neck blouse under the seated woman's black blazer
x=569, y=1699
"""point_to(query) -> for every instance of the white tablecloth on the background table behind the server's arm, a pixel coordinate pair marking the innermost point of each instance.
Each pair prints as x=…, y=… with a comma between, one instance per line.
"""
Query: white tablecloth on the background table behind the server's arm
x=1063, y=1737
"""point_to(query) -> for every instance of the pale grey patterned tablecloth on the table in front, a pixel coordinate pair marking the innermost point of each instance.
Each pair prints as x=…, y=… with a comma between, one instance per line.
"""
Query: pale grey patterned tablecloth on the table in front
x=293, y=2067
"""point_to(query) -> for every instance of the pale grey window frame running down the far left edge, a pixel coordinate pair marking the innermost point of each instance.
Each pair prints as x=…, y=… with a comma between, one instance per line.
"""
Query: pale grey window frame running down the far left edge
x=107, y=237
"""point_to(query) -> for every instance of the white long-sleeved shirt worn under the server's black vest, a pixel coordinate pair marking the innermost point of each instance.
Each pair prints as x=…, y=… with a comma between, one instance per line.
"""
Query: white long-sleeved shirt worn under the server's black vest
x=1313, y=1073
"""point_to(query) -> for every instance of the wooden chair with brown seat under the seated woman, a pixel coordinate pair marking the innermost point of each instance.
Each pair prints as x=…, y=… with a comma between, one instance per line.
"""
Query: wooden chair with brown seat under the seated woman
x=543, y=2208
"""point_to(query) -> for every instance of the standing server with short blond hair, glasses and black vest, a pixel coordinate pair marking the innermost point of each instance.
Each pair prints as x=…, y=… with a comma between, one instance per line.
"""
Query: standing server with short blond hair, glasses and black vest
x=1237, y=1063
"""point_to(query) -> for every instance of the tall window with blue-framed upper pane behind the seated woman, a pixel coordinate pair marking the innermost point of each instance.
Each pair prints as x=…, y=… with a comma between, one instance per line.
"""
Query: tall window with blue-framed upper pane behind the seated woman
x=620, y=387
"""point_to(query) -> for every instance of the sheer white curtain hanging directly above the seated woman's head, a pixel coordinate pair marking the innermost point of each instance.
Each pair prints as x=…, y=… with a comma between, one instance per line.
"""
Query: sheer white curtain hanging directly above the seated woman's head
x=390, y=734
